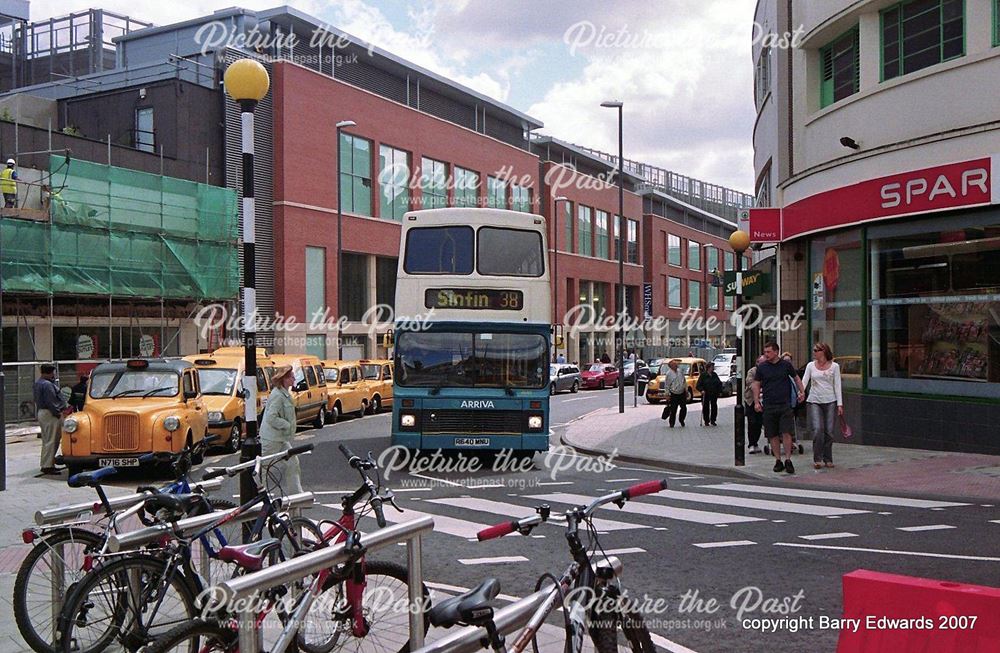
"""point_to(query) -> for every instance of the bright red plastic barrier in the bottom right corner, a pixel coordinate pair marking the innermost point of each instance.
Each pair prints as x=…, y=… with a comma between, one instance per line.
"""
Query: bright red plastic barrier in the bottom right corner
x=902, y=614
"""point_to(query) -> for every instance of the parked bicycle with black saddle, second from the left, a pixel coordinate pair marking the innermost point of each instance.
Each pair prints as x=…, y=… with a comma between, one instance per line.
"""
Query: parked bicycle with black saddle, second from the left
x=128, y=599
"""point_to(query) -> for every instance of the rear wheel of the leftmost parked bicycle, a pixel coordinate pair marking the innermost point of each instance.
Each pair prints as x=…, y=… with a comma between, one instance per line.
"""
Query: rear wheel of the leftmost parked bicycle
x=46, y=575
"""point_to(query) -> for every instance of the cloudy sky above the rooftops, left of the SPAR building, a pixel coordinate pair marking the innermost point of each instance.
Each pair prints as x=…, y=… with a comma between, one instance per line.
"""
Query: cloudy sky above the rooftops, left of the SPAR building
x=682, y=67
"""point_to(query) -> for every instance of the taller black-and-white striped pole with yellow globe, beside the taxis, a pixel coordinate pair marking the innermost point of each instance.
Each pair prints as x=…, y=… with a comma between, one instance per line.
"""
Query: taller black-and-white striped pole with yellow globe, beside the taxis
x=247, y=82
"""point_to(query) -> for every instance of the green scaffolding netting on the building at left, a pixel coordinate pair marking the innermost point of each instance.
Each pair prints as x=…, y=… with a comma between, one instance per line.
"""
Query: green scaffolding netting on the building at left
x=127, y=233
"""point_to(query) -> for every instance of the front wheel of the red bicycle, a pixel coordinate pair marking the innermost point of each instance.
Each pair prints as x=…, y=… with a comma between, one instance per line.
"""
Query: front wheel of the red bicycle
x=327, y=626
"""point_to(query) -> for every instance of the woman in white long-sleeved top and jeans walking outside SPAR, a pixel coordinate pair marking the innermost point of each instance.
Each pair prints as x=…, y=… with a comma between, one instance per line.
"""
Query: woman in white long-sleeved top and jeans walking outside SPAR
x=825, y=402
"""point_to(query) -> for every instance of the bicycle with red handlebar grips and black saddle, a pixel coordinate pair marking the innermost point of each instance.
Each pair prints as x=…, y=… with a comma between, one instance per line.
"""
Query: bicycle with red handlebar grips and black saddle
x=597, y=603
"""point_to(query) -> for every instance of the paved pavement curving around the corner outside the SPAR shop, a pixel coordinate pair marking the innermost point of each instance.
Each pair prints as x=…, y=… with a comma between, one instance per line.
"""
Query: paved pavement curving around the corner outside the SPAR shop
x=639, y=435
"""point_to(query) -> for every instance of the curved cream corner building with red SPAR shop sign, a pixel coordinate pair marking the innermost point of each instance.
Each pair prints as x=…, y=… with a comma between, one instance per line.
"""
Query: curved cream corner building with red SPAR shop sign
x=876, y=137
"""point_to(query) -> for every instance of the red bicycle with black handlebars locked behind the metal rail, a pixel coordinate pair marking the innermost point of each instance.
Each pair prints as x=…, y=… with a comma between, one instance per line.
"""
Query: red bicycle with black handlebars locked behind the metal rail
x=338, y=593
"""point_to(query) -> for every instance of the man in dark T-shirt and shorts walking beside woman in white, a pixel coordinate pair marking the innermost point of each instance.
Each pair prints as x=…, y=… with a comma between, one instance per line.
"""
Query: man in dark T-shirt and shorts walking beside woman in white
x=772, y=395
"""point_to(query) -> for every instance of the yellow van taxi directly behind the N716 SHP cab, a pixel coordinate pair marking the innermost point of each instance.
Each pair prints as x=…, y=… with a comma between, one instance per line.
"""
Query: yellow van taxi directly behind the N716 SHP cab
x=221, y=377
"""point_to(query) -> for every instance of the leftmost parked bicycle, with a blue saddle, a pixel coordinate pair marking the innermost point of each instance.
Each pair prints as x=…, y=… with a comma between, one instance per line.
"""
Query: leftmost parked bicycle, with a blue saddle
x=57, y=559
